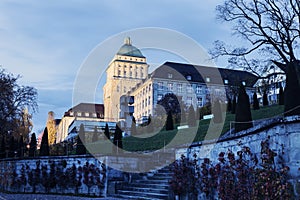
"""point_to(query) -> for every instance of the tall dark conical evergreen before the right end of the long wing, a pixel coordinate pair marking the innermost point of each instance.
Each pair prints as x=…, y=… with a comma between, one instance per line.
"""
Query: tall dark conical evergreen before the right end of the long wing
x=243, y=116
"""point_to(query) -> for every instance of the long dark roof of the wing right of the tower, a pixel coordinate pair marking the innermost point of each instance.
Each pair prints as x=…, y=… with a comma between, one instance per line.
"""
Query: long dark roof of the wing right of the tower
x=198, y=73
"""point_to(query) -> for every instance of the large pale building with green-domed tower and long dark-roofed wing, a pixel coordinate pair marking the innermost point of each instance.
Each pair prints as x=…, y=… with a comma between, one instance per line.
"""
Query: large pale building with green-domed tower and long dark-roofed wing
x=131, y=90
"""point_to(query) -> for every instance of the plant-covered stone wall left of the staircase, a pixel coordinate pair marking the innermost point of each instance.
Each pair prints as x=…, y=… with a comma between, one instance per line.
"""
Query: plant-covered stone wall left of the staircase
x=82, y=175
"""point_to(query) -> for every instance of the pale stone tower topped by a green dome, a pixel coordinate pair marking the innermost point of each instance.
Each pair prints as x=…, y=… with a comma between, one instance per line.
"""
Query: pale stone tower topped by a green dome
x=125, y=71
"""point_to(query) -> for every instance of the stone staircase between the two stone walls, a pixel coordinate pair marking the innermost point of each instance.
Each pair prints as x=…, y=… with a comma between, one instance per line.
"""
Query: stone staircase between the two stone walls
x=152, y=185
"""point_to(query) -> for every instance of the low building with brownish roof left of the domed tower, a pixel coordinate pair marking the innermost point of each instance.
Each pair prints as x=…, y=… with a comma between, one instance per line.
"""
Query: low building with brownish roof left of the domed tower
x=85, y=113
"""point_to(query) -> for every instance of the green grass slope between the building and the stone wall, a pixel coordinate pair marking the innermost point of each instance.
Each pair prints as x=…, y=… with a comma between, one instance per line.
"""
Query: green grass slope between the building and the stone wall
x=205, y=131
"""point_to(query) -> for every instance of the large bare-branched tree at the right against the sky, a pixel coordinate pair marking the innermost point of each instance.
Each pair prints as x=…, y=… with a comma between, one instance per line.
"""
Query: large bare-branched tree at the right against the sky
x=270, y=29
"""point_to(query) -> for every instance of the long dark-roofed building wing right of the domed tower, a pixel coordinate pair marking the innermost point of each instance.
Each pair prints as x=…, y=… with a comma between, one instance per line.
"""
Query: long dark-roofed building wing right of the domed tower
x=196, y=85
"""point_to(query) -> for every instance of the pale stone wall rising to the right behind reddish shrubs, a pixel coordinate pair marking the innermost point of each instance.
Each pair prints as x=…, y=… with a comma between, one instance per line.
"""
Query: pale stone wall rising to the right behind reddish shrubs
x=284, y=137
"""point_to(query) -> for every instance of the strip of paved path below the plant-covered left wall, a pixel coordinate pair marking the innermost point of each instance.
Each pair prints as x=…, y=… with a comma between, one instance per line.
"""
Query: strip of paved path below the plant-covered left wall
x=4, y=196
